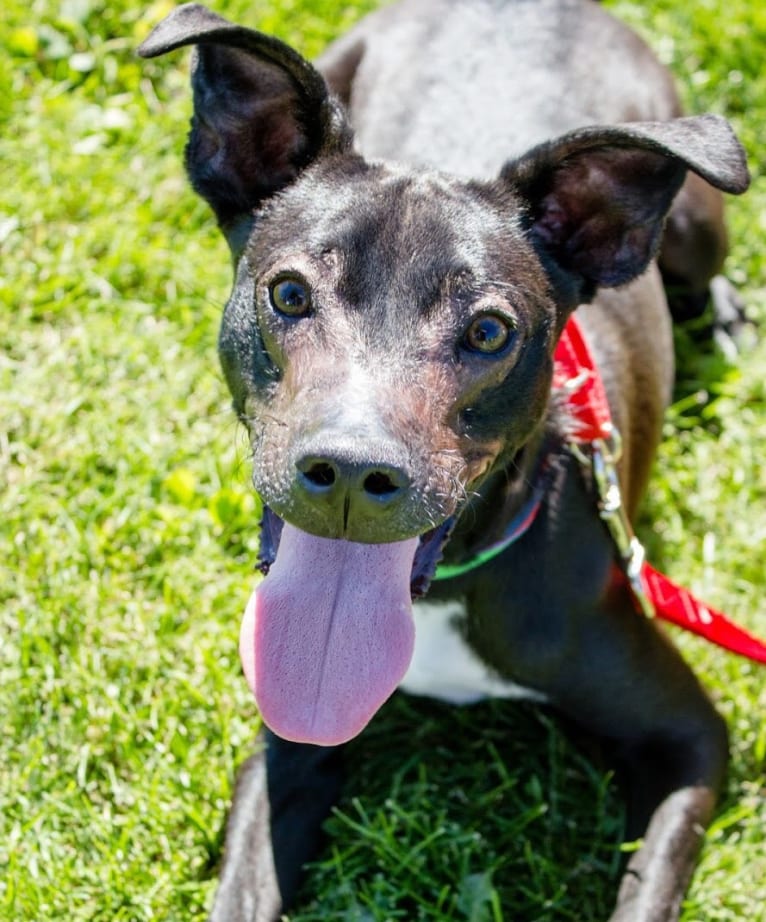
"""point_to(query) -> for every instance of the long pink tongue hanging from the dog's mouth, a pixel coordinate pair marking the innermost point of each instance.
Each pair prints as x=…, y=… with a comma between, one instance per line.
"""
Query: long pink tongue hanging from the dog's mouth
x=328, y=635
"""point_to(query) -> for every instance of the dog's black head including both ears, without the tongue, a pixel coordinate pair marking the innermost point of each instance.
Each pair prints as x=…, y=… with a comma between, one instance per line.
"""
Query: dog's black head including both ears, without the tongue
x=388, y=341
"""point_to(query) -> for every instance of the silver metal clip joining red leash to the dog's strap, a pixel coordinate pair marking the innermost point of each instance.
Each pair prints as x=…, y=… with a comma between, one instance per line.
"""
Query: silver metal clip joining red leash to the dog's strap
x=604, y=455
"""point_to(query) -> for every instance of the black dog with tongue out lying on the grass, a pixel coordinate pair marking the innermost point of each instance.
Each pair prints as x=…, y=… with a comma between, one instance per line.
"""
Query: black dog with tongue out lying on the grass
x=412, y=221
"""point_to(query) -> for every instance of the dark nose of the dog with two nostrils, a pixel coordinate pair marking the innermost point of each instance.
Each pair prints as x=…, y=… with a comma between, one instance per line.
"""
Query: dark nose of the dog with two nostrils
x=371, y=487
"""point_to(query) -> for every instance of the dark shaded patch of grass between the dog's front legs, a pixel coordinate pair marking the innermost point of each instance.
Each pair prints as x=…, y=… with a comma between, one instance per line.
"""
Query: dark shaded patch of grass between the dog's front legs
x=451, y=813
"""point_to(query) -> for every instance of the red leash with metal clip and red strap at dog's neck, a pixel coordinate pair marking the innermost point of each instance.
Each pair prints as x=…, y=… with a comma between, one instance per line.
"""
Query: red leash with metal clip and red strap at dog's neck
x=596, y=443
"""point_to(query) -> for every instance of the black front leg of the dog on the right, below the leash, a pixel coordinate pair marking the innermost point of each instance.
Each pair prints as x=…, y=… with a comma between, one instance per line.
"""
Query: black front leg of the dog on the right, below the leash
x=629, y=686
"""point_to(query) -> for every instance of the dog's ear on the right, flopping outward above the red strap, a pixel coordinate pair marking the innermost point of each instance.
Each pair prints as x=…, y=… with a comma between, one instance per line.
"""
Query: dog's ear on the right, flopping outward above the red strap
x=597, y=198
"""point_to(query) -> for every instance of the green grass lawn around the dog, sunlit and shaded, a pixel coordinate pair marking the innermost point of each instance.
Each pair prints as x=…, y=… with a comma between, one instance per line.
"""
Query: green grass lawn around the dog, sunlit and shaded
x=128, y=531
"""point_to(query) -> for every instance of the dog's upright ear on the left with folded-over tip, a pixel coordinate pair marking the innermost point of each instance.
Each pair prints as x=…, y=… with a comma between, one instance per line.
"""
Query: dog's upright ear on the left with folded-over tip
x=262, y=114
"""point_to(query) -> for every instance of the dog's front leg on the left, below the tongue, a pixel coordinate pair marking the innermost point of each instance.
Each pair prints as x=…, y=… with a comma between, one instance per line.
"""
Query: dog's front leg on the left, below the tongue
x=283, y=793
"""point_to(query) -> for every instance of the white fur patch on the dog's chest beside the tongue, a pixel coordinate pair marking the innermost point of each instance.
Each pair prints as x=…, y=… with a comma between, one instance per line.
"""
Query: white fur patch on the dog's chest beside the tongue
x=444, y=666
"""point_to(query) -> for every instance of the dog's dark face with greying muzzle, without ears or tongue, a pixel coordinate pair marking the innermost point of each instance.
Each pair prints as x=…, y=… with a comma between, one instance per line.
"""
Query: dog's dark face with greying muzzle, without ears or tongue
x=387, y=343
